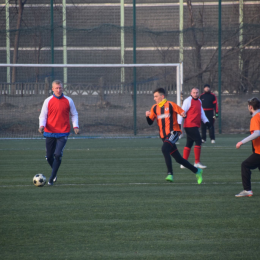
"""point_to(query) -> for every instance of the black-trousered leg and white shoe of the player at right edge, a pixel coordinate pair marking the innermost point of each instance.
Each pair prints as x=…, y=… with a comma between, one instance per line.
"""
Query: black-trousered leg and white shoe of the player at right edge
x=252, y=162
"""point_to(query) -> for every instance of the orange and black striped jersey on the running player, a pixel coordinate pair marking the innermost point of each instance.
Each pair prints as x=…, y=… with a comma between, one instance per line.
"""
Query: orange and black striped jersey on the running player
x=166, y=117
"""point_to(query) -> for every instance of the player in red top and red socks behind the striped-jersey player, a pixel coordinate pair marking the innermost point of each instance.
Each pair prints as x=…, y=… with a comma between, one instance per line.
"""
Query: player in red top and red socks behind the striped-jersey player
x=195, y=114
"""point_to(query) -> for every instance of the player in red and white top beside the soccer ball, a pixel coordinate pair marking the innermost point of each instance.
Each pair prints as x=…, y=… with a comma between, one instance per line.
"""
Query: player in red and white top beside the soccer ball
x=55, y=126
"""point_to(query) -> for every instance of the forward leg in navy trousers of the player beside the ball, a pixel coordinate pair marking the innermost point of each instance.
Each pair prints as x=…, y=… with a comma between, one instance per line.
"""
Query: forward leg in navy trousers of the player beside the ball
x=61, y=142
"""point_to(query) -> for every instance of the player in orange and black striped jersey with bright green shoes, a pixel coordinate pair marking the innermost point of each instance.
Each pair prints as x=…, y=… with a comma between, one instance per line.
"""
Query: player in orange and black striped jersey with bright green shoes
x=165, y=112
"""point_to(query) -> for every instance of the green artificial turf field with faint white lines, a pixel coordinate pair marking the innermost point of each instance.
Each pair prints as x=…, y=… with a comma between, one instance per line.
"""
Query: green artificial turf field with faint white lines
x=111, y=202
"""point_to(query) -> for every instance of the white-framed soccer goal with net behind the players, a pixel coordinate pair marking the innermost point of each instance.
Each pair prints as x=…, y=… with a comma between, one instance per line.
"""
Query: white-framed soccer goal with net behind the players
x=111, y=99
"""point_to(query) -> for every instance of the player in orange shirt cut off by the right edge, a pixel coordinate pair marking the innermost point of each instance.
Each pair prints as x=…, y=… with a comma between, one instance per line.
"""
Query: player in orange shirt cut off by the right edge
x=253, y=161
